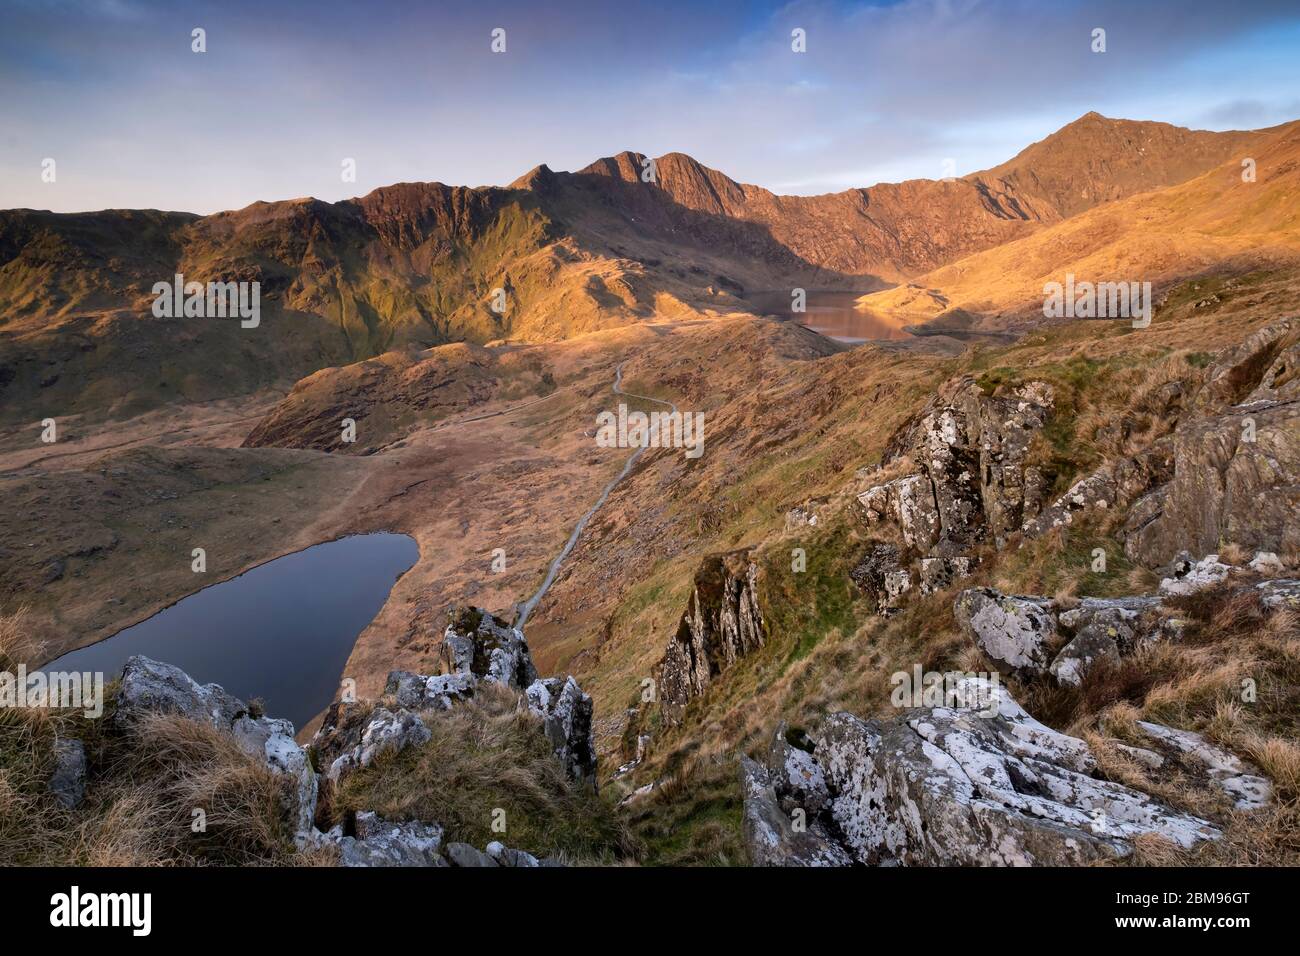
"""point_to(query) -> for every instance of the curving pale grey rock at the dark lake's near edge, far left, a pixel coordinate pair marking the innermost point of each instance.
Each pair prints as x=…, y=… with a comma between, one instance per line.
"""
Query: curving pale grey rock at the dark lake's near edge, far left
x=150, y=687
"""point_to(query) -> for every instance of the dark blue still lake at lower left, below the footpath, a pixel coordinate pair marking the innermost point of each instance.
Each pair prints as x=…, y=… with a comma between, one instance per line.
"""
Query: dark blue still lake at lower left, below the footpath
x=281, y=631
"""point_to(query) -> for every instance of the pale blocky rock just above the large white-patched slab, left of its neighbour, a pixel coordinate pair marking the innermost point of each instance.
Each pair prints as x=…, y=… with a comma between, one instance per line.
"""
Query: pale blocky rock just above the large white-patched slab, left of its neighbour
x=1012, y=631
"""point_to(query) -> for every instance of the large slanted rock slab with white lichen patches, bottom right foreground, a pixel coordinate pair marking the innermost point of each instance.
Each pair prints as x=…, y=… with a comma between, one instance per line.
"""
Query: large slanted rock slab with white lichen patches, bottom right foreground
x=954, y=786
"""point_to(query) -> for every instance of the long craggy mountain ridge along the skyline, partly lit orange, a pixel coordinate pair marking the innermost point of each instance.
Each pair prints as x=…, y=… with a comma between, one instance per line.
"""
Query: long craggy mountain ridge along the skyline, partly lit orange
x=417, y=265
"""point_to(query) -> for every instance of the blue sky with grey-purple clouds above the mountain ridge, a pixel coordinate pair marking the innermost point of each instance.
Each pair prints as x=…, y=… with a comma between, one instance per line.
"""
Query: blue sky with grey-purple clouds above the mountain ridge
x=285, y=93
